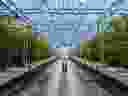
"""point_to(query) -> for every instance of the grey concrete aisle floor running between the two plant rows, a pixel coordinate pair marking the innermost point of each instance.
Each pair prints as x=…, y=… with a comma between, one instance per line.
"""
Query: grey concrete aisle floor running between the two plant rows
x=57, y=83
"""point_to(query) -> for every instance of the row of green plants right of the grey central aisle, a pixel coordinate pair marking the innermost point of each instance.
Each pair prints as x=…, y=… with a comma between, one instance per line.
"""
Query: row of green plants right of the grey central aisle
x=108, y=47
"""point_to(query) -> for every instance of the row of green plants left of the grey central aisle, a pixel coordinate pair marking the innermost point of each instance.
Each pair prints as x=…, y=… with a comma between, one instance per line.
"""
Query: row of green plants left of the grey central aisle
x=13, y=35
